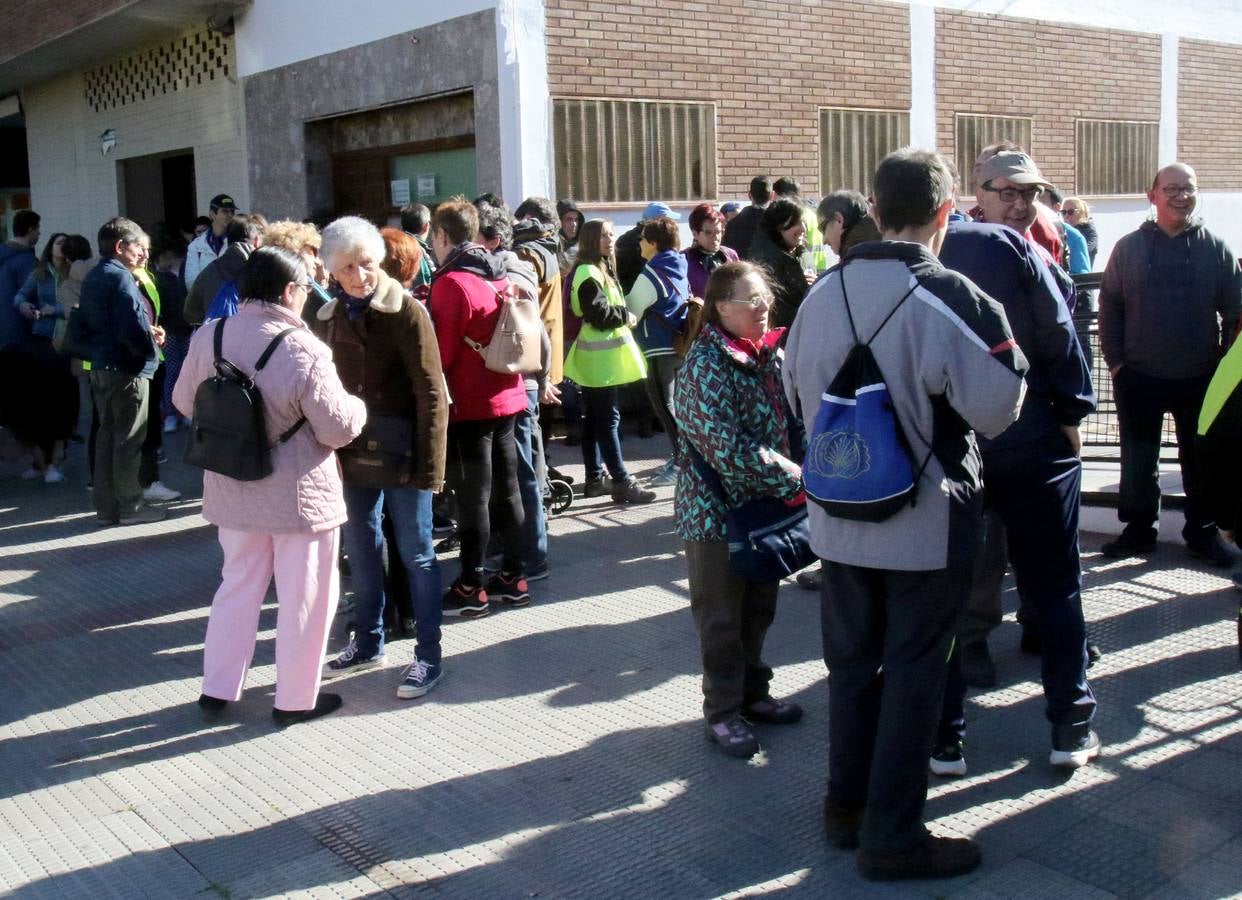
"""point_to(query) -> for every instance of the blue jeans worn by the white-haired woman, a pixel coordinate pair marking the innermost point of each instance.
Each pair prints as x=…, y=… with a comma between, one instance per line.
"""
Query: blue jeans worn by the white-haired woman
x=410, y=511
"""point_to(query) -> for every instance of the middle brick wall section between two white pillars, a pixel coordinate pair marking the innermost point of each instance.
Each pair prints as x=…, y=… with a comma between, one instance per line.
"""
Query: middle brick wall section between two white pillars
x=1053, y=74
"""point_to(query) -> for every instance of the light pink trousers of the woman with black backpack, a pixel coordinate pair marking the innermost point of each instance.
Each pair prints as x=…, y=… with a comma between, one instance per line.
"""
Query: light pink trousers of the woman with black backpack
x=307, y=590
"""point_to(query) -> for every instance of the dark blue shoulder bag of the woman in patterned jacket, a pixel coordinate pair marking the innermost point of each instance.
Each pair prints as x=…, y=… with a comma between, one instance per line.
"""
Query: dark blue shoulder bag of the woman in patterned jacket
x=768, y=539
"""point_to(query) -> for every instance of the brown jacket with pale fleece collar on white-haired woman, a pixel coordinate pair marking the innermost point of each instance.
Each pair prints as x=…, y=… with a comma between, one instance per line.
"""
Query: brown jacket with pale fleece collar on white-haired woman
x=391, y=359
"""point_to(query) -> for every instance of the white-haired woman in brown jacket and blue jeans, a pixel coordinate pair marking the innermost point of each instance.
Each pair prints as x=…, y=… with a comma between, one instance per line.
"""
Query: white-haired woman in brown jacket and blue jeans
x=386, y=352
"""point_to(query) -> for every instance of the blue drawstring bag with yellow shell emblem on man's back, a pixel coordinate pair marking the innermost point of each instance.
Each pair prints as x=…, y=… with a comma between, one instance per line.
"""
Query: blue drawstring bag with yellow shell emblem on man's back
x=859, y=462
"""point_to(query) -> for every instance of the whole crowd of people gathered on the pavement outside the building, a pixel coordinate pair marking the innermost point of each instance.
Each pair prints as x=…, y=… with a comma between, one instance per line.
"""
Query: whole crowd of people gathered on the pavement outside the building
x=387, y=423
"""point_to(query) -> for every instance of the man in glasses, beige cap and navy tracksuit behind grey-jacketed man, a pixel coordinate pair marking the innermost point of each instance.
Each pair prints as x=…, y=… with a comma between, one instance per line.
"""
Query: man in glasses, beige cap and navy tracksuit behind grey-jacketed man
x=1033, y=476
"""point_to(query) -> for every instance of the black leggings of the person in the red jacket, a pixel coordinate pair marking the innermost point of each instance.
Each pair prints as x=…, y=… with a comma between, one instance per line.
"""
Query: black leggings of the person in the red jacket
x=484, y=472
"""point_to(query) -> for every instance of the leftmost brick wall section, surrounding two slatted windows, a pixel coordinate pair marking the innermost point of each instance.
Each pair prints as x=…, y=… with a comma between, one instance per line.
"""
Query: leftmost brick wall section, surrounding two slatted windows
x=805, y=55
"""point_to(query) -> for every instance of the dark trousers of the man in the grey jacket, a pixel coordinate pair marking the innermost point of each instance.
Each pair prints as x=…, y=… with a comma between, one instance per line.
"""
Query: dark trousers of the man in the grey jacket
x=886, y=642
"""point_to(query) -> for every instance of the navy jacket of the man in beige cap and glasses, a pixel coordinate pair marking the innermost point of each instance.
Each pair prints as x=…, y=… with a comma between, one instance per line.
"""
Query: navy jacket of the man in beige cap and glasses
x=1005, y=266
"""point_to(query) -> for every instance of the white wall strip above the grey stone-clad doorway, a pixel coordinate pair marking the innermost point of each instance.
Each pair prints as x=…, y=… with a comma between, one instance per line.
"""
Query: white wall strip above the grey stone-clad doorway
x=276, y=33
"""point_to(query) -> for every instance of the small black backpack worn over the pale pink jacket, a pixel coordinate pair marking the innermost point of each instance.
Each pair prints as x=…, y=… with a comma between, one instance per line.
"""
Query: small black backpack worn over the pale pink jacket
x=228, y=431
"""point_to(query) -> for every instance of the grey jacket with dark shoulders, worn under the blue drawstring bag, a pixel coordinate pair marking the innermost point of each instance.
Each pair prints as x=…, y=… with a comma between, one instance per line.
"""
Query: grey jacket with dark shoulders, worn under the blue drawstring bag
x=951, y=364
